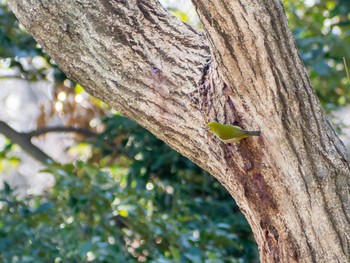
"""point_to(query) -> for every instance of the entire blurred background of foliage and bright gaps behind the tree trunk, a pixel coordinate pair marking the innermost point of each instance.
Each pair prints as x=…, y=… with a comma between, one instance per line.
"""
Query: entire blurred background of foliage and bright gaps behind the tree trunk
x=120, y=194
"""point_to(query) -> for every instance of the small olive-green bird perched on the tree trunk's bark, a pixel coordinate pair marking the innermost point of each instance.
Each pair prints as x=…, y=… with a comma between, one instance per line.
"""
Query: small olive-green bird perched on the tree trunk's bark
x=229, y=133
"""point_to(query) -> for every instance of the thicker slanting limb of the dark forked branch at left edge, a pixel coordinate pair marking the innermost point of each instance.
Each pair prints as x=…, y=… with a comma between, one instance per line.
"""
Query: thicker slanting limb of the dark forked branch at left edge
x=24, y=142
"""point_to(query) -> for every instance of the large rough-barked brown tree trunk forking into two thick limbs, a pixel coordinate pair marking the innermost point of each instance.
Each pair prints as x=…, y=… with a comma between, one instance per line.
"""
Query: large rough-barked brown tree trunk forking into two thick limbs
x=292, y=183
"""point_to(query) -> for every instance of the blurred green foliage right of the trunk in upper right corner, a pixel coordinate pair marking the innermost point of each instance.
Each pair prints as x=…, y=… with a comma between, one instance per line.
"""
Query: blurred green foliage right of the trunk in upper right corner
x=322, y=34
